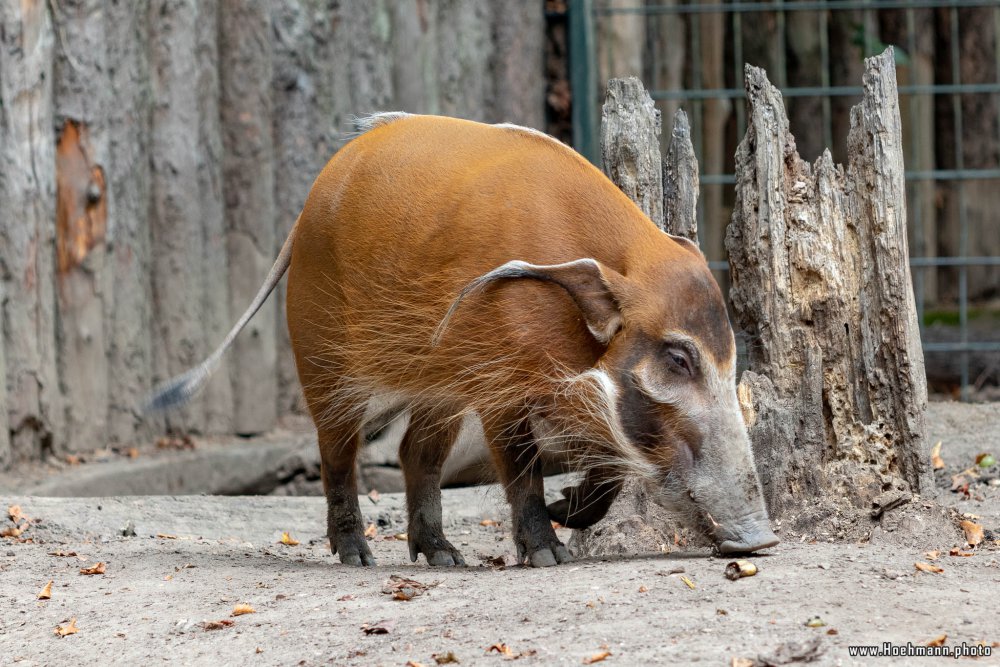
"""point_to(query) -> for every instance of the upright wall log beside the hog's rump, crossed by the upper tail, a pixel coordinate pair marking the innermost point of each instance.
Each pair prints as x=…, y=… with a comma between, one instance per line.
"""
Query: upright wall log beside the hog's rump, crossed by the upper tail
x=245, y=69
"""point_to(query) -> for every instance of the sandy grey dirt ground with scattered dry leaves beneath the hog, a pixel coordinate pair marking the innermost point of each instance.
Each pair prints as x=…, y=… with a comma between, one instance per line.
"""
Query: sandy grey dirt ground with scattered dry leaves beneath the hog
x=168, y=593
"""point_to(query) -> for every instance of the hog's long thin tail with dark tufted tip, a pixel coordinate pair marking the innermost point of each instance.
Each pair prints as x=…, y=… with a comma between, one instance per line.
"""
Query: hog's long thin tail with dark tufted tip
x=180, y=389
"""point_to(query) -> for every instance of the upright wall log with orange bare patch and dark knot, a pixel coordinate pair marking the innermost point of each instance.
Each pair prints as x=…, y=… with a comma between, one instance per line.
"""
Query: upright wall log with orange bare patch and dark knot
x=84, y=286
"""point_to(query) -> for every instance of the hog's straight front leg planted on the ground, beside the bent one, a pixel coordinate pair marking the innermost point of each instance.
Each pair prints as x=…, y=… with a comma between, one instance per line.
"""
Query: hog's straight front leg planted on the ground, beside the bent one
x=516, y=457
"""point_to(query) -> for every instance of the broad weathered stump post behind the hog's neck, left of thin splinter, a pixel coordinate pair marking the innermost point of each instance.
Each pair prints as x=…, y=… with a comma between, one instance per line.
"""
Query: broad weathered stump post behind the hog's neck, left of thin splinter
x=630, y=145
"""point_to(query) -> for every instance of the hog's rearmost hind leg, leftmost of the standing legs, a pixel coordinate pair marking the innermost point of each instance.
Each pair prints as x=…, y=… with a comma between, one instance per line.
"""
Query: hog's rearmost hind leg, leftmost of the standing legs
x=338, y=448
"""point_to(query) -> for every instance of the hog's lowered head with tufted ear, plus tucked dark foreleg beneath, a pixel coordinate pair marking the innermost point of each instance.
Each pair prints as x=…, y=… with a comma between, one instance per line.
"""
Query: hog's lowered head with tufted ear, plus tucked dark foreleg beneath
x=664, y=391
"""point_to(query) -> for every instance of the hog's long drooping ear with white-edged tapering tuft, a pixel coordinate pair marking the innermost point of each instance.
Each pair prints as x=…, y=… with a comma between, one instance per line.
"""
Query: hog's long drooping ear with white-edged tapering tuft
x=590, y=284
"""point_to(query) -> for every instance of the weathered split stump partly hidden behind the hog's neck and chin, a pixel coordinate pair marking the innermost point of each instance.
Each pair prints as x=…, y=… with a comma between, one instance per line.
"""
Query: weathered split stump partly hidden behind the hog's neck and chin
x=667, y=191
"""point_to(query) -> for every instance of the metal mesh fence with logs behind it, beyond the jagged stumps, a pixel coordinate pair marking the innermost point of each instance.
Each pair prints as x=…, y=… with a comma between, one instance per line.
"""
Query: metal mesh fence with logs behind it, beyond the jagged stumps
x=691, y=54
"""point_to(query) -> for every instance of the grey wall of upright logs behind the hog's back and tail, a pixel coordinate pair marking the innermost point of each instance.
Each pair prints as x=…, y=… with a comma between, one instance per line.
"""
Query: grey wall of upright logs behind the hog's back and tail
x=153, y=157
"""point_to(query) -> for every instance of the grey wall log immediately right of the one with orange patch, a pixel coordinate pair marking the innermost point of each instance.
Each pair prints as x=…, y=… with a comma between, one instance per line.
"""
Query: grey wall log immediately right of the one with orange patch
x=130, y=364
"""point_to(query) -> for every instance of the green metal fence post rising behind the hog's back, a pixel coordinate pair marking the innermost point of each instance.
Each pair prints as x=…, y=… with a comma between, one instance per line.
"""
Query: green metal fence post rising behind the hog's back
x=583, y=79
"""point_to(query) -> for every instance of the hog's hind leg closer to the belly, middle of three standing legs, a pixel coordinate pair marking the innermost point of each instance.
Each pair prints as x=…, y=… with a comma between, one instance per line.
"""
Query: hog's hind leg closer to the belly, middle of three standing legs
x=425, y=446
